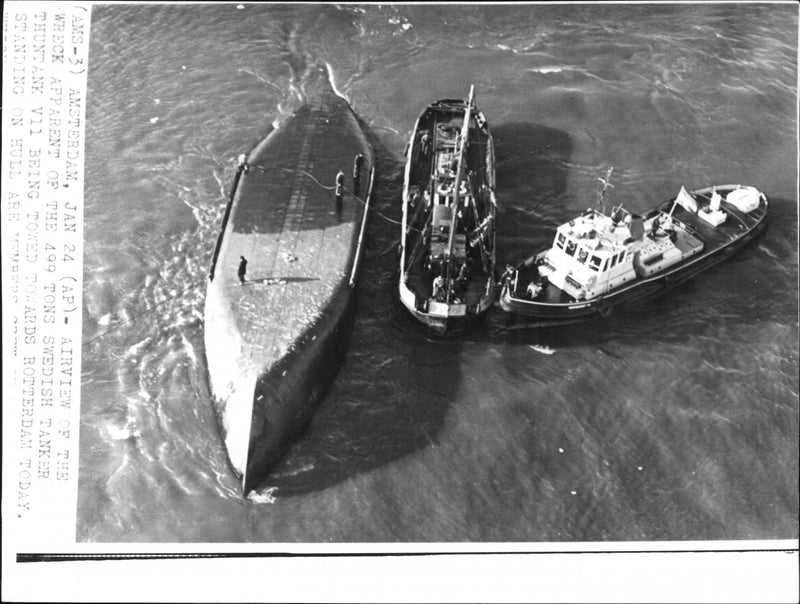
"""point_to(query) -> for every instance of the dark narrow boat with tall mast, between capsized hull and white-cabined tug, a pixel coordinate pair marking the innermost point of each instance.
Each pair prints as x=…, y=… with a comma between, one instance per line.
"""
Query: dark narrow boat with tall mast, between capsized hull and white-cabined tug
x=447, y=246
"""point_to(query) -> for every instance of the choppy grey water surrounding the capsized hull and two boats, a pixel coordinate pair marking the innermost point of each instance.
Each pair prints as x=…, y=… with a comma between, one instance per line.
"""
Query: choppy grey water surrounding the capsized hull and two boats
x=677, y=421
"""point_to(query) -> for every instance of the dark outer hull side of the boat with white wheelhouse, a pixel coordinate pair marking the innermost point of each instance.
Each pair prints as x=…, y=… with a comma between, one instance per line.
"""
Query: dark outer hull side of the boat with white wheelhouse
x=605, y=306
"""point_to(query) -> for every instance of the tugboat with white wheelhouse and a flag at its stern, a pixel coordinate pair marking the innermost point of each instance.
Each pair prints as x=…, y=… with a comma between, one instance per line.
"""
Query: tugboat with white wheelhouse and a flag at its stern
x=598, y=262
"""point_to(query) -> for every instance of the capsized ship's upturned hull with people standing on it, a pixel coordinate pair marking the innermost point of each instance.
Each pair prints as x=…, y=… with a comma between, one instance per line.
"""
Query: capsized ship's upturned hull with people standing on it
x=274, y=342
